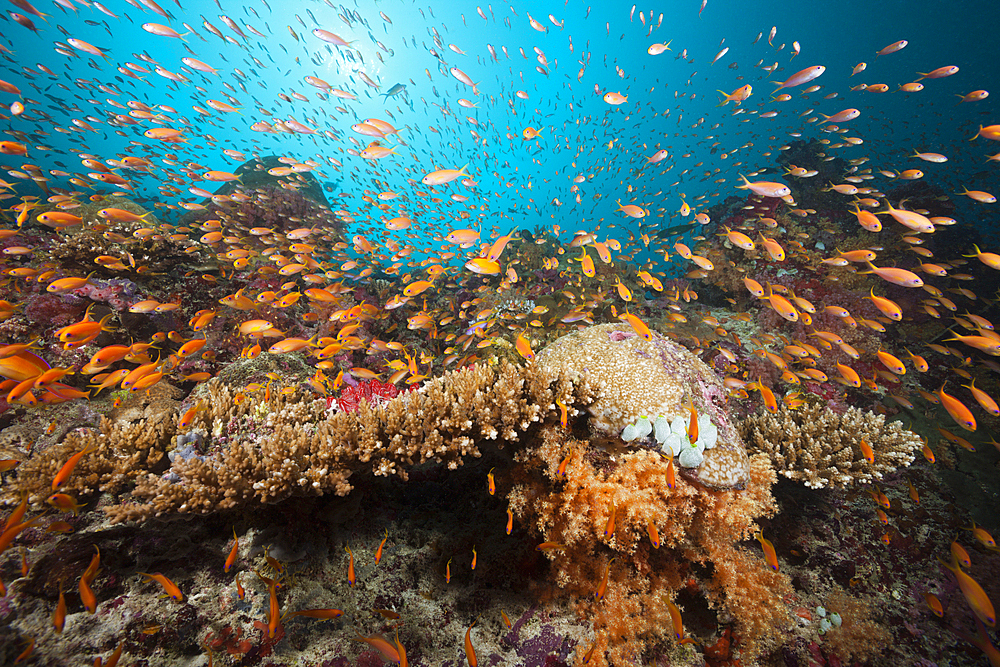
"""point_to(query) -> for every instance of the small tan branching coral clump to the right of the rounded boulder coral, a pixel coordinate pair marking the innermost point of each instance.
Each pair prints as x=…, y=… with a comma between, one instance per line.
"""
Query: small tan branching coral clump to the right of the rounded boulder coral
x=820, y=447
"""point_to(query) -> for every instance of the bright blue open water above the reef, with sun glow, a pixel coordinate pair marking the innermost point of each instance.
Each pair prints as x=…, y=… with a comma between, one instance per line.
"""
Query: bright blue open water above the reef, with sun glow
x=671, y=100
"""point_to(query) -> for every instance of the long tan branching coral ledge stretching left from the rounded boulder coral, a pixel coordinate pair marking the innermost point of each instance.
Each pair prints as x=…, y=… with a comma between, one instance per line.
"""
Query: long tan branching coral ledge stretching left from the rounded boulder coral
x=268, y=450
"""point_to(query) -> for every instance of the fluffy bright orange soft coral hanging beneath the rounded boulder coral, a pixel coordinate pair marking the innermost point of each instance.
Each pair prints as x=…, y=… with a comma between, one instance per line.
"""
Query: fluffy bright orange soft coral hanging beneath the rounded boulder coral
x=698, y=528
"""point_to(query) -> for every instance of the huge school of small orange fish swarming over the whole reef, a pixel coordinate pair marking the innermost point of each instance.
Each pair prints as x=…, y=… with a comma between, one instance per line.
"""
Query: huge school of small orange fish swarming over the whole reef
x=430, y=199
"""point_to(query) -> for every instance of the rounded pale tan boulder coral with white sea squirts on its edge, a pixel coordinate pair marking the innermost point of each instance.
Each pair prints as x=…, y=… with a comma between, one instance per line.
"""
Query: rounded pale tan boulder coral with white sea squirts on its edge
x=643, y=390
